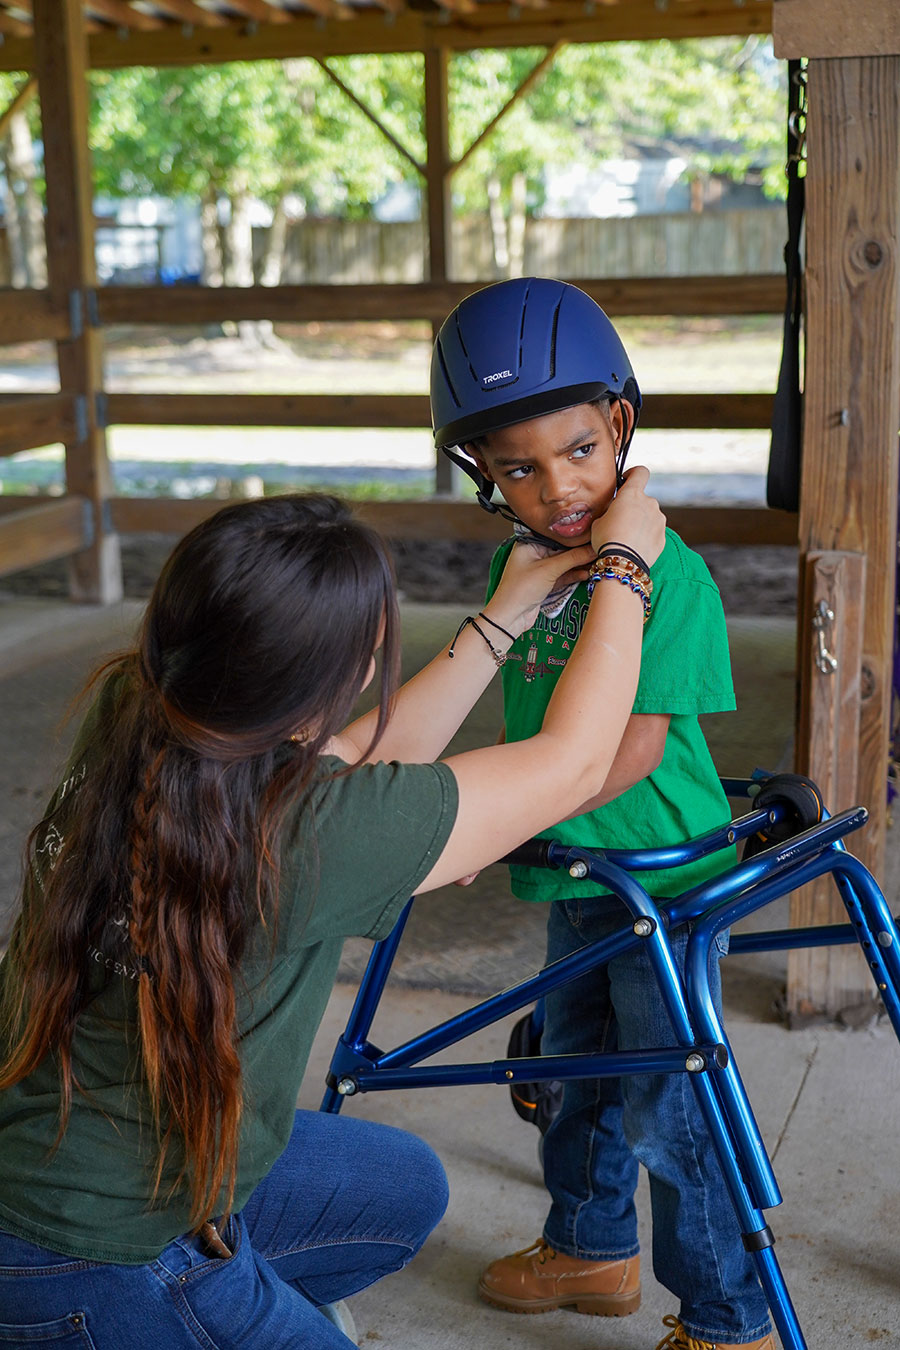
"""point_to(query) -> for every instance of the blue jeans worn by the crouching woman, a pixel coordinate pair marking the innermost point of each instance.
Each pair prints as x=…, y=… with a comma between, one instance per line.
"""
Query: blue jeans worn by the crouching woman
x=347, y=1204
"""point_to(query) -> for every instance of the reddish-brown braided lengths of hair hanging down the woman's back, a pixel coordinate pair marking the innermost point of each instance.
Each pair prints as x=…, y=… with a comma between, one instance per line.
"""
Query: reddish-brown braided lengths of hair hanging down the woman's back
x=183, y=940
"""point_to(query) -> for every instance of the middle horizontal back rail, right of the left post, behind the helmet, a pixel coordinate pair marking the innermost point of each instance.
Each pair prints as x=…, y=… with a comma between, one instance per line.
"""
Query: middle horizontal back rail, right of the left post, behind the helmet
x=700, y=412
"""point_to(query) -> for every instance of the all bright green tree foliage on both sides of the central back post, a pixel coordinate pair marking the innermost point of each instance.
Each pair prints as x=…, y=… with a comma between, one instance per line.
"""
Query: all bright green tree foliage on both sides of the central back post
x=277, y=129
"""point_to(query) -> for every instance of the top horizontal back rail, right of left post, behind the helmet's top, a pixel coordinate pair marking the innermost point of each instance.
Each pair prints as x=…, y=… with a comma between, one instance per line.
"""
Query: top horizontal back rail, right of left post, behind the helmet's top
x=651, y=296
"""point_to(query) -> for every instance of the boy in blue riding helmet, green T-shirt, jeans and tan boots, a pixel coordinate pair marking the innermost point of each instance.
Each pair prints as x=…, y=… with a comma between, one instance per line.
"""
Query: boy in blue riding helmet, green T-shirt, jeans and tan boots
x=532, y=385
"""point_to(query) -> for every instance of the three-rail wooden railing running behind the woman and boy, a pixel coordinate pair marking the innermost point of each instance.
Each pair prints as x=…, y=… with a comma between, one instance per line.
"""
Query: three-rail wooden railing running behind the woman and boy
x=34, y=530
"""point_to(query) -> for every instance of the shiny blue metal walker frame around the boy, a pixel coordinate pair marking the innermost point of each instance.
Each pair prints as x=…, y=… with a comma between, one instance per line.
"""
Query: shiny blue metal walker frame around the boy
x=794, y=853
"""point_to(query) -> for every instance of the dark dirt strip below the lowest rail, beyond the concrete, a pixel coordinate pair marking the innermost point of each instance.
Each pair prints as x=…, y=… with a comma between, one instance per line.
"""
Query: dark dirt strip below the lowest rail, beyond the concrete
x=754, y=581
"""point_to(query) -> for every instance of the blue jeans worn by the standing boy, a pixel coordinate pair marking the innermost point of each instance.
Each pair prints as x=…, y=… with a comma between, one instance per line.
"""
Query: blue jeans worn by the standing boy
x=608, y=1127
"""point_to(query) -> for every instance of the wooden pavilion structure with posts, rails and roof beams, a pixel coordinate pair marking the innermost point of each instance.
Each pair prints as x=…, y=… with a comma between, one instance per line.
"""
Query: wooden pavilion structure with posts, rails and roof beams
x=847, y=527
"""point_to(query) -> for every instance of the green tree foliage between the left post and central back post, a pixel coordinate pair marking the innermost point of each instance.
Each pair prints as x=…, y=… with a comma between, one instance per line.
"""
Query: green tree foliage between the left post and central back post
x=271, y=128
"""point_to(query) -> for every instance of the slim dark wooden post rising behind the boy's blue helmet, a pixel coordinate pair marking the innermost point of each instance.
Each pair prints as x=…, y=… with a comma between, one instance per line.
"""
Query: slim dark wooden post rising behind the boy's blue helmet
x=439, y=199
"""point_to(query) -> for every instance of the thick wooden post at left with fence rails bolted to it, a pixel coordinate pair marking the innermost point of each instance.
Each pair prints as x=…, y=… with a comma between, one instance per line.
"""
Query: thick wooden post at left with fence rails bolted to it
x=61, y=68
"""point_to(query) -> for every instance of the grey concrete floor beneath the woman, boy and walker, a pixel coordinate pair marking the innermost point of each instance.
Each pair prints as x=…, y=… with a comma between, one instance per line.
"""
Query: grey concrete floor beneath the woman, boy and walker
x=825, y=1098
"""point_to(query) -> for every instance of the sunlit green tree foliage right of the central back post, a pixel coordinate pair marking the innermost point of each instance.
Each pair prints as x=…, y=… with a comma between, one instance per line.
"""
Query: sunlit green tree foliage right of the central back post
x=719, y=103
